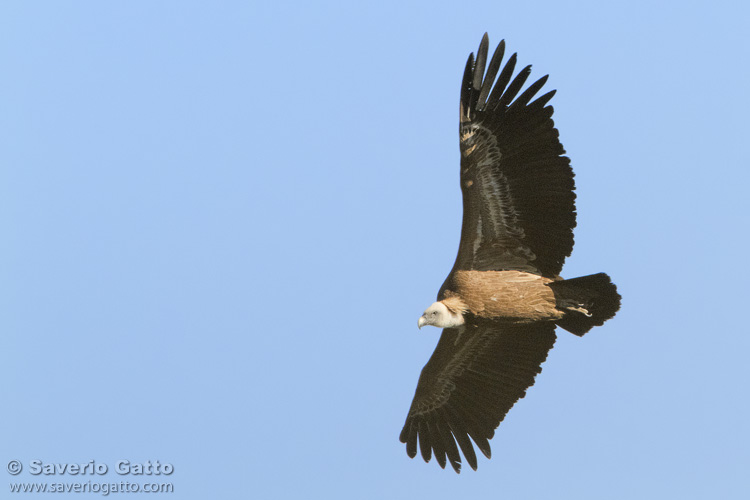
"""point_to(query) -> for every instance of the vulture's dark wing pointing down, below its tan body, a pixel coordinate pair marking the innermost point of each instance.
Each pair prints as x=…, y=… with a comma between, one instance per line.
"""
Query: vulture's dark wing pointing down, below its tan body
x=469, y=384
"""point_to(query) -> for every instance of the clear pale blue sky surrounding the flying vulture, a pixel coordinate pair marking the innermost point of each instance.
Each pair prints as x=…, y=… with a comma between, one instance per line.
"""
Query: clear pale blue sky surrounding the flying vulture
x=221, y=221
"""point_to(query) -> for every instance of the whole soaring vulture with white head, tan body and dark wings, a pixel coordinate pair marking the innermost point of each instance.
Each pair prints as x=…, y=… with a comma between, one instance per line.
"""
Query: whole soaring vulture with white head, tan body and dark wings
x=500, y=303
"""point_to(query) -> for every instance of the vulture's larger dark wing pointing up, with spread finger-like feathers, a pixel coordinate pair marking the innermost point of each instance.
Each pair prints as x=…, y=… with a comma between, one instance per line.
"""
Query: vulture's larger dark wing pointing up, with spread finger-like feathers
x=519, y=205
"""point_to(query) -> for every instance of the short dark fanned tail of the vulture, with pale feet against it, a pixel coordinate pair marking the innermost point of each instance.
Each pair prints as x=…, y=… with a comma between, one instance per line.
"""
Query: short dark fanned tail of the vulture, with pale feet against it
x=588, y=301
